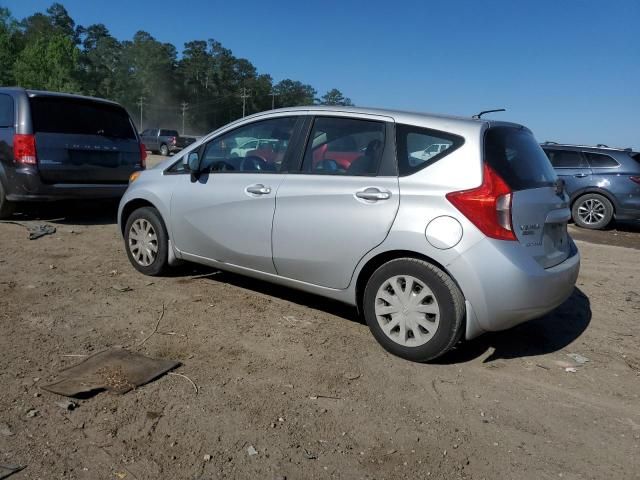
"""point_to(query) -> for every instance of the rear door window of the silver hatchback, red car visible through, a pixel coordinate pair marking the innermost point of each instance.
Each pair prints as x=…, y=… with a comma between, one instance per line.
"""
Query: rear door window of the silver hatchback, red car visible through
x=344, y=146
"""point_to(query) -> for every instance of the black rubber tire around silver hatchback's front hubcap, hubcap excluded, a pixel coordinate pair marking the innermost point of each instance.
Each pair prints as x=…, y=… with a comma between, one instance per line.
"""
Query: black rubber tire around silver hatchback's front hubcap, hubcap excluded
x=159, y=265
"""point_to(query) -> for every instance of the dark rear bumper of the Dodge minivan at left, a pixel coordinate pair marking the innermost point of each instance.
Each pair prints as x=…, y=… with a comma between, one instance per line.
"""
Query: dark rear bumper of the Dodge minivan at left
x=24, y=185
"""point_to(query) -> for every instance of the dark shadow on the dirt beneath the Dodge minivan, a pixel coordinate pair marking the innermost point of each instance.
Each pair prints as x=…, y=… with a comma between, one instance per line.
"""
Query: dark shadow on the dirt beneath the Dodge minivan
x=68, y=212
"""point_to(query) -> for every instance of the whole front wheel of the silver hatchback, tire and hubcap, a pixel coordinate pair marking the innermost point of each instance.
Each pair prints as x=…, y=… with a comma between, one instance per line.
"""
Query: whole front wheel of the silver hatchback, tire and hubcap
x=146, y=241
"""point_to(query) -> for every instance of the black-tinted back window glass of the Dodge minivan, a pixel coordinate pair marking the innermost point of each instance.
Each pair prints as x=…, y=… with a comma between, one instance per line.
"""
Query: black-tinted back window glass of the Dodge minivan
x=81, y=117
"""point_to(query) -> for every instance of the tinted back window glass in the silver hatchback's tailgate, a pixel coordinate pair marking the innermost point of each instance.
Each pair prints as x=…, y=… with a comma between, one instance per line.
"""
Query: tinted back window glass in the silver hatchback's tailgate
x=515, y=155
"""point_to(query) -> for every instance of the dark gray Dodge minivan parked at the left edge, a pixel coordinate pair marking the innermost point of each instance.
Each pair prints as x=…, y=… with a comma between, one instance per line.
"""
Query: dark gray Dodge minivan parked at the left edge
x=58, y=146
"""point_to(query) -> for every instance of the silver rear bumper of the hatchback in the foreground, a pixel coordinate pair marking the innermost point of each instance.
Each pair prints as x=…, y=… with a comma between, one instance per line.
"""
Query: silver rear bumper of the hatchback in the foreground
x=505, y=286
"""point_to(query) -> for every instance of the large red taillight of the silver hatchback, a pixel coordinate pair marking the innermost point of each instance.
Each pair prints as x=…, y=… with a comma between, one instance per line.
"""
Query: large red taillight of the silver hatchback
x=488, y=206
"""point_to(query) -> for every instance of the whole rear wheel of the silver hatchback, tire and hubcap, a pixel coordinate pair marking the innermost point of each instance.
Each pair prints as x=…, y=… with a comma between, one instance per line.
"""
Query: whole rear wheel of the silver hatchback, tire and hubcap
x=413, y=309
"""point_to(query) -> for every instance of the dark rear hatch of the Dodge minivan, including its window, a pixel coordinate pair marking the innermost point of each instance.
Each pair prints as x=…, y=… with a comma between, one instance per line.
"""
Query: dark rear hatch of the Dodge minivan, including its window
x=83, y=140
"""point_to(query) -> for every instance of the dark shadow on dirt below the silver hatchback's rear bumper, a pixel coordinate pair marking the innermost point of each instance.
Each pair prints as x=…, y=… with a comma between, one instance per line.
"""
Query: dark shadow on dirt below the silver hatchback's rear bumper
x=547, y=334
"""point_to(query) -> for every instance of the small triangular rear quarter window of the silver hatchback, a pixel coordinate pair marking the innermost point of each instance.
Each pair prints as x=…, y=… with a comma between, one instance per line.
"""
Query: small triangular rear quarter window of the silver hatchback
x=419, y=147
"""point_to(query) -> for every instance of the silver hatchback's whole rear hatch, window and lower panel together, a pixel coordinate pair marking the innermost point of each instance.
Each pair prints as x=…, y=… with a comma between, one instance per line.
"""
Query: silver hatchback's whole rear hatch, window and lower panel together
x=539, y=204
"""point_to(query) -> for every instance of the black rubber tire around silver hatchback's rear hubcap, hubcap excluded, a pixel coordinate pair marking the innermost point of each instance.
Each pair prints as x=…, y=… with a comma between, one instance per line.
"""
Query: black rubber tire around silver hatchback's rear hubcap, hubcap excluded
x=447, y=294
